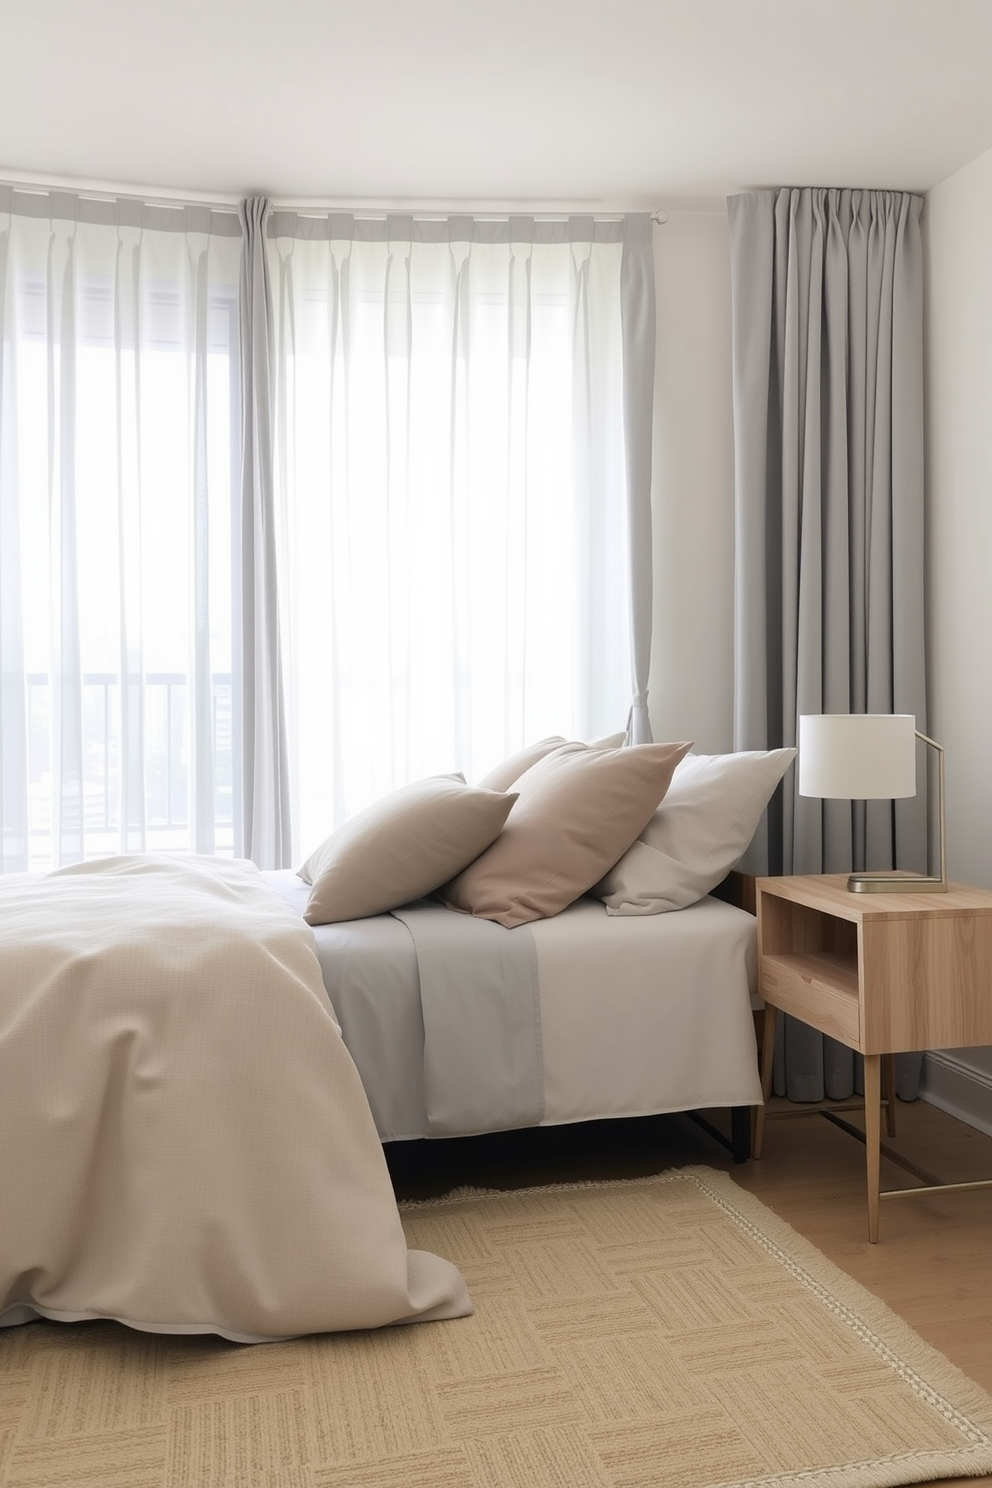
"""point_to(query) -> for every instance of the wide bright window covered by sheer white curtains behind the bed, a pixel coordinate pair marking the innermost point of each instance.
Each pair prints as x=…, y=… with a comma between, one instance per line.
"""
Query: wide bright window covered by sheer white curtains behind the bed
x=439, y=513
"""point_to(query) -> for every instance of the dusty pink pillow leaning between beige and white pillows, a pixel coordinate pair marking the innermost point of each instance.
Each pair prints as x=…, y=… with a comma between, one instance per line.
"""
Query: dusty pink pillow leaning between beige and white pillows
x=578, y=812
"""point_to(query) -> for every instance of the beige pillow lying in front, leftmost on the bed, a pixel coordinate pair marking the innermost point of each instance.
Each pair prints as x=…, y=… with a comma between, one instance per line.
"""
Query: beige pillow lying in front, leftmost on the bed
x=401, y=849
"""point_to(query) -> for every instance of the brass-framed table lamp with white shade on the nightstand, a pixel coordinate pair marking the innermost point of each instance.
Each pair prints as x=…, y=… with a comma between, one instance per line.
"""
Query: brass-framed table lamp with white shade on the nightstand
x=869, y=757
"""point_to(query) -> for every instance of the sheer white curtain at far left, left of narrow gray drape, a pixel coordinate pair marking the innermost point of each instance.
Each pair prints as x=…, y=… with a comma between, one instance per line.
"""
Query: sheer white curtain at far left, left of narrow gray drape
x=118, y=462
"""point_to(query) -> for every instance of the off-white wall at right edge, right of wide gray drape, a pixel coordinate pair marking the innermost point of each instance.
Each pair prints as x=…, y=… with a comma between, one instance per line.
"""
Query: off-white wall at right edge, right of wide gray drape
x=959, y=298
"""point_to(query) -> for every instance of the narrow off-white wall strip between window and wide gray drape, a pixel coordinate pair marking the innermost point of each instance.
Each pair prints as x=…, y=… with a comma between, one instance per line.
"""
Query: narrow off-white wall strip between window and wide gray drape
x=691, y=691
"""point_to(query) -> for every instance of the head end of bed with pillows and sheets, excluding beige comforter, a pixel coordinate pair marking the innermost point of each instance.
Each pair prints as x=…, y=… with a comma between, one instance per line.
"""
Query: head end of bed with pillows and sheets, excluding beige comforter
x=566, y=989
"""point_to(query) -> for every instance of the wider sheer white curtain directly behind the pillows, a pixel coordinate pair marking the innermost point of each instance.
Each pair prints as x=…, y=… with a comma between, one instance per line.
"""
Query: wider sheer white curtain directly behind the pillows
x=451, y=489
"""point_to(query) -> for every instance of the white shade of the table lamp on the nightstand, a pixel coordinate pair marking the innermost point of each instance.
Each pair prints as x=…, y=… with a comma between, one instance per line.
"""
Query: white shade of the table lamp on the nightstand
x=857, y=757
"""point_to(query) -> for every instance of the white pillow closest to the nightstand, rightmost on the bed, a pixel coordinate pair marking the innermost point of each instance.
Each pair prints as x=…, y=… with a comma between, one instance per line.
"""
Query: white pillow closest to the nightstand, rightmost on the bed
x=703, y=827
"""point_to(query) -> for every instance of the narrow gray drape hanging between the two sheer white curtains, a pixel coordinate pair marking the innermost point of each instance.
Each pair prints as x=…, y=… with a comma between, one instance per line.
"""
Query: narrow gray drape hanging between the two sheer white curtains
x=265, y=767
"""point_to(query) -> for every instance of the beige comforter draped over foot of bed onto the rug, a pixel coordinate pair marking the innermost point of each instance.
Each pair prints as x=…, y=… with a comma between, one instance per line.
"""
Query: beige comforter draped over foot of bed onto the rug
x=185, y=1144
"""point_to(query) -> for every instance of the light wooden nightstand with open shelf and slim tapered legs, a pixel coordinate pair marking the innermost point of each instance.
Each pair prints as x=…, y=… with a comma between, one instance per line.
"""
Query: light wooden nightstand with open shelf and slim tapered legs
x=883, y=974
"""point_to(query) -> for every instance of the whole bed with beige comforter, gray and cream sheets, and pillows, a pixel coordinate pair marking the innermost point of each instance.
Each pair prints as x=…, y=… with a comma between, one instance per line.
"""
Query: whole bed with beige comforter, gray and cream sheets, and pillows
x=200, y=1063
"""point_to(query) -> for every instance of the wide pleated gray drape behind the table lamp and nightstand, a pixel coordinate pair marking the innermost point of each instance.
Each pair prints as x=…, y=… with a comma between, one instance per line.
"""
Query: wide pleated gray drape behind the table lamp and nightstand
x=828, y=391
